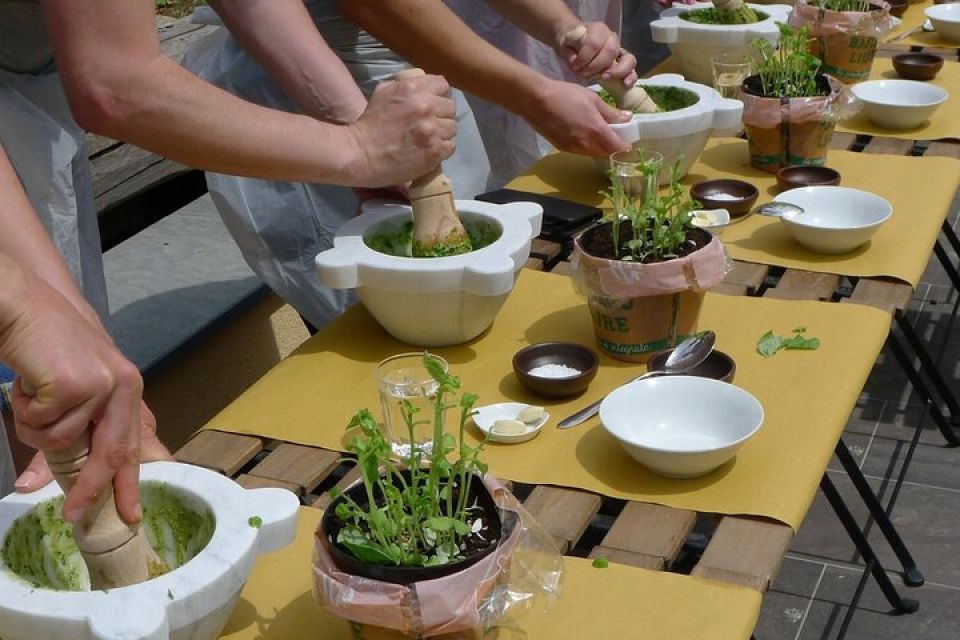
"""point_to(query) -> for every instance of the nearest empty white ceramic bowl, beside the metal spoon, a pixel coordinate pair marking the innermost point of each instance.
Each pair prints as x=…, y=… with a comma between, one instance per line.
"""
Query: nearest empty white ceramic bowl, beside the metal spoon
x=681, y=426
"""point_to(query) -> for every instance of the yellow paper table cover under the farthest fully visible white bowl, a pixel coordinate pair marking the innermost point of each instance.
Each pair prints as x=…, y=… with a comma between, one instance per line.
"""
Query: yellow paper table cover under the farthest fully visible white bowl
x=943, y=124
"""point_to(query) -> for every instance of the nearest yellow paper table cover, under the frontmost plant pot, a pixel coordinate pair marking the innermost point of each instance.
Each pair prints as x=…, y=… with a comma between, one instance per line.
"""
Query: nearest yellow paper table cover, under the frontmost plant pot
x=616, y=602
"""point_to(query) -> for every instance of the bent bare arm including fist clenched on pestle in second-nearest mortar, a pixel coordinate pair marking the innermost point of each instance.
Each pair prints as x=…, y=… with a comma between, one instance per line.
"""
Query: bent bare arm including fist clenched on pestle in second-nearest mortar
x=119, y=84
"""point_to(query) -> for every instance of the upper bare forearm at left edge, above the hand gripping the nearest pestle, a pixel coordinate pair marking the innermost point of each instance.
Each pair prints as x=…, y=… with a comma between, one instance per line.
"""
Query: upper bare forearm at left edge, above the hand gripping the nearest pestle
x=25, y=242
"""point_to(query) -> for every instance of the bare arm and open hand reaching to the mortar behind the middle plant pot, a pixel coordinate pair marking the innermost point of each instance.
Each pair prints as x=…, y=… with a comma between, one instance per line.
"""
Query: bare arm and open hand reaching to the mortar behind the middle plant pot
x=429, y=35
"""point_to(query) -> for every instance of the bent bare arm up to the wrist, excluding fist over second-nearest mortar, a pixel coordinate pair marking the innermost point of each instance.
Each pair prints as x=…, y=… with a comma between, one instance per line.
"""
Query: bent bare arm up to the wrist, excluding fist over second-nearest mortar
x=119, y=84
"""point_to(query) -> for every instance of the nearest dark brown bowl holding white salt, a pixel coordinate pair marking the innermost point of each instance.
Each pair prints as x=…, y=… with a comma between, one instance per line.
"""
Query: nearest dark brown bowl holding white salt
x=569, y=354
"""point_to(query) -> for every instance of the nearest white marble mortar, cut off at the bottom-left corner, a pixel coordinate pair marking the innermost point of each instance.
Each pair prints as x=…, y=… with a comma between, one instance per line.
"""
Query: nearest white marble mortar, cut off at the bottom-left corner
x=192, y=602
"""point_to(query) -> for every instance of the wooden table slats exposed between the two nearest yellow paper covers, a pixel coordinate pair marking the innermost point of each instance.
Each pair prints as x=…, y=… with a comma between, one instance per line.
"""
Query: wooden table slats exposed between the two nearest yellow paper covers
x=740, y=550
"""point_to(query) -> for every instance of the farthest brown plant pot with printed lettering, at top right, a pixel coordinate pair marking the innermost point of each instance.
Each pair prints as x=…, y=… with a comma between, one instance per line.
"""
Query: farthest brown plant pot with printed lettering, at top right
x=846, y=41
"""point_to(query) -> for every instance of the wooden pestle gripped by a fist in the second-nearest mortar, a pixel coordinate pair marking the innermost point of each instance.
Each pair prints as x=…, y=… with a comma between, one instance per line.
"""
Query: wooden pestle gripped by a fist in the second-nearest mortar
x=437, y=229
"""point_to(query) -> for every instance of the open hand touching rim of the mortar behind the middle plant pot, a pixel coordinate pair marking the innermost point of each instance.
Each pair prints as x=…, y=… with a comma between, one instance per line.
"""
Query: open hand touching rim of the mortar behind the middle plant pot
x=576, y=119
